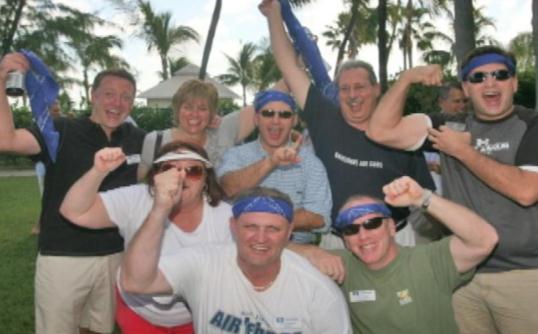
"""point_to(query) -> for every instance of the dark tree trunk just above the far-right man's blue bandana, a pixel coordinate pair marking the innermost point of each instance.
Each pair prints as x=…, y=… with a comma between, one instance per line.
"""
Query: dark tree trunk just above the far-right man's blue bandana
x=464, y=28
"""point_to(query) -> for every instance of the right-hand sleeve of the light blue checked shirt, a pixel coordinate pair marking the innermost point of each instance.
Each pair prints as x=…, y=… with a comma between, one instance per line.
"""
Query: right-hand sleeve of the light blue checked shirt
x=318, y=198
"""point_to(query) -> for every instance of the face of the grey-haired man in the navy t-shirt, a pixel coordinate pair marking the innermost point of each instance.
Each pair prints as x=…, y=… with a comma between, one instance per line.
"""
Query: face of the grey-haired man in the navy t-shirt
x=358, y=96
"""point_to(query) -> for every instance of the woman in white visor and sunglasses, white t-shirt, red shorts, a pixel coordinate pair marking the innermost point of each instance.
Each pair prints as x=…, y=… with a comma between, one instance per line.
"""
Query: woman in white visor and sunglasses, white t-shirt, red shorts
x=199, y=217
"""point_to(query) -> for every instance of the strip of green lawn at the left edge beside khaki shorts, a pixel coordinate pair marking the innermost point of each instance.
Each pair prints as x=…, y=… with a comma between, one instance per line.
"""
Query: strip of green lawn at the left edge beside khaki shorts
x=19, y=210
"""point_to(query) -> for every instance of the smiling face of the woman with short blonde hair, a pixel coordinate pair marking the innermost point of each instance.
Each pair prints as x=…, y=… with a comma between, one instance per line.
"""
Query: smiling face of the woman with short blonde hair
x=194, y=115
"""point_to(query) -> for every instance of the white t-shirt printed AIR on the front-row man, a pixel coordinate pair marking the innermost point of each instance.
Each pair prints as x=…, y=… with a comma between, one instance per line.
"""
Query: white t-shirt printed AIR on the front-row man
x=222, y=300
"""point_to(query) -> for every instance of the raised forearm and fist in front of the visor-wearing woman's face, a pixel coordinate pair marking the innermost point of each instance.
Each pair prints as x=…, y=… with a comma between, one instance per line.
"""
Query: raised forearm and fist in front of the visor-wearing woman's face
x=139, y=270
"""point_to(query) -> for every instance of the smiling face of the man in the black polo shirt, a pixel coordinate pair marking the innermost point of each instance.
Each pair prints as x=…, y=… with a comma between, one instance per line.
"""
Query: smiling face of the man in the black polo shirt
x=112, y=102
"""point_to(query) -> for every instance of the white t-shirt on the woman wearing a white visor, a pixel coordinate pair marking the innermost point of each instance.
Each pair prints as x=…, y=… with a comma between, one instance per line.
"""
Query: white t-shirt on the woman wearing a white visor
x=128, y=208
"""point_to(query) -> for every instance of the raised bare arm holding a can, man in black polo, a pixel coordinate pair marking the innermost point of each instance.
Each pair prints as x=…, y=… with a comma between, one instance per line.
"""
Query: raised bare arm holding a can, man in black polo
x=18, y=141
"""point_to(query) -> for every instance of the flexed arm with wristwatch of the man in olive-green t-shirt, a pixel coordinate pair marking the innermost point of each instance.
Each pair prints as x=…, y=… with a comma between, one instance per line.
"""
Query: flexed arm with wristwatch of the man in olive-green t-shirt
x=473, y=239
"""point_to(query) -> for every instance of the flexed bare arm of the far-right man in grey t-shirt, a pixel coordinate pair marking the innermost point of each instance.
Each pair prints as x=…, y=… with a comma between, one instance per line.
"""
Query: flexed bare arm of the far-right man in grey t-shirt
x=387, y=125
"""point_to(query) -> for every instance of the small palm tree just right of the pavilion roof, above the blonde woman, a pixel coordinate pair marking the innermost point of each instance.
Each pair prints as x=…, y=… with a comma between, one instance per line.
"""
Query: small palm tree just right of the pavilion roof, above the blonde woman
x=241, y=69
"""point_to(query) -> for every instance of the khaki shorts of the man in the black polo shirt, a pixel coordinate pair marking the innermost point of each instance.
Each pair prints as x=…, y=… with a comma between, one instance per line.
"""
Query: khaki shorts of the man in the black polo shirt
x=75, y=292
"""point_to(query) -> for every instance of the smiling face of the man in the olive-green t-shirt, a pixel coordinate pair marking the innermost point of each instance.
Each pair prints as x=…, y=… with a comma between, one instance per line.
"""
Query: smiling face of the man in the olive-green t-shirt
x=376, y=248
